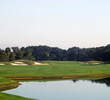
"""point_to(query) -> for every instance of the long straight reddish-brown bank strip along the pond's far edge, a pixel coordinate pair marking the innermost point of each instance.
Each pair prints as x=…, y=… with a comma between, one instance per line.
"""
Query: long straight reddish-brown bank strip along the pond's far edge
x=59, y=77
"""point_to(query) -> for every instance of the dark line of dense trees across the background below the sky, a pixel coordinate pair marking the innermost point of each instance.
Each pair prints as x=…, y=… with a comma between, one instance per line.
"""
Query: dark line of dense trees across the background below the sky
x=54, y=53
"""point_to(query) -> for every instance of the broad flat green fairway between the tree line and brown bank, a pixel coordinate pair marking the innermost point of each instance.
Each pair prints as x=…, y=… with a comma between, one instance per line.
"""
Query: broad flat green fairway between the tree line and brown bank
x=55, y=68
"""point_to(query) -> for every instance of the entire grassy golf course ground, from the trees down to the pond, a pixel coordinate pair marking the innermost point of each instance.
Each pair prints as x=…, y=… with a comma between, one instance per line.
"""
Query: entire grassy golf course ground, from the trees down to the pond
x=47, y=70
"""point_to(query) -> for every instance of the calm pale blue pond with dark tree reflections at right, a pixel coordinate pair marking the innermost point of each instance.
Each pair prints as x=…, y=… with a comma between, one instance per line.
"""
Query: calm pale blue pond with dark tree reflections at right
x=64, y=90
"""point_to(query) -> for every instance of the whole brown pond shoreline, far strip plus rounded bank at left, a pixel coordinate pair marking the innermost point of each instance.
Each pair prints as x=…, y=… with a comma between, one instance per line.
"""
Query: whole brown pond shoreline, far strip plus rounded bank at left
x=16, y=84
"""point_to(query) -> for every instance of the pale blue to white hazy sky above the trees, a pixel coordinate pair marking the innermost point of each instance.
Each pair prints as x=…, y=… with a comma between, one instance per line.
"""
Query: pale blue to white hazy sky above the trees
x=56, y=23
